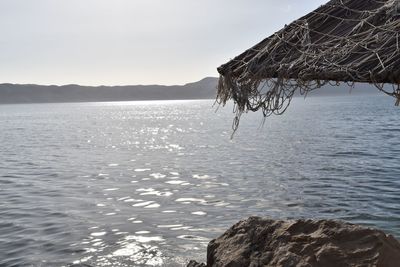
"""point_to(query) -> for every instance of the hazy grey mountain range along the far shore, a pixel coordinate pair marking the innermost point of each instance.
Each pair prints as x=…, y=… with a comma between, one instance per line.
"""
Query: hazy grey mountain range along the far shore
x=203, y=89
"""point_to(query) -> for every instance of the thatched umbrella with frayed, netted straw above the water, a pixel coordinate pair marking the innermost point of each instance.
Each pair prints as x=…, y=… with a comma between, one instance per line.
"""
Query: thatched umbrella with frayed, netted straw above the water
x=342, y=41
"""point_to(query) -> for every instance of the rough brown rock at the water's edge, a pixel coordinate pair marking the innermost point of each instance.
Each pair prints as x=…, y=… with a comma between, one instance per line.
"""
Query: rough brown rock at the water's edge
x=302, y=243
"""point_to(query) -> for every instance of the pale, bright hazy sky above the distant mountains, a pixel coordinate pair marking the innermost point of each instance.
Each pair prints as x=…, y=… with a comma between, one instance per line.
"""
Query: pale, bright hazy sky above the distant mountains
x=122, y=42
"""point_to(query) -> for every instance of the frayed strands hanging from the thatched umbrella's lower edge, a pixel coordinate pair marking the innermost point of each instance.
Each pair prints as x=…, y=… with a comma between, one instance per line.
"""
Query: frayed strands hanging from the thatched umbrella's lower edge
x=273, y=96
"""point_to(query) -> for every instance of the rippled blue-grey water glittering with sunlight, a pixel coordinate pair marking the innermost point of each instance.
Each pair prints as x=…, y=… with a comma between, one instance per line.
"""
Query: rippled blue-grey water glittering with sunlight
x=150, y=183
